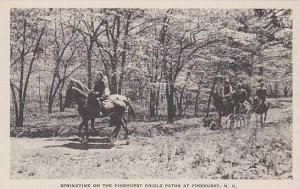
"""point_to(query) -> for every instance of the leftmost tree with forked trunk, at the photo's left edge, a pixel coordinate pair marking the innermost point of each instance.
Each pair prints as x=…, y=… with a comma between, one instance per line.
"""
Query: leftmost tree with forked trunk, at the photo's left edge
x=27, y=29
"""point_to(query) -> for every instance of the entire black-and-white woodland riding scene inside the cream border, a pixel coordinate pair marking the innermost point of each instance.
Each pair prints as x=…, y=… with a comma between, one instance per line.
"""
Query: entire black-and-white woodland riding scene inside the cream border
x=151, y=93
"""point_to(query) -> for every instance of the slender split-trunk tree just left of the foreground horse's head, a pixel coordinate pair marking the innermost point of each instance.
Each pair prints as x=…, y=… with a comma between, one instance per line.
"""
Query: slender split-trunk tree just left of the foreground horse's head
x=64, y=49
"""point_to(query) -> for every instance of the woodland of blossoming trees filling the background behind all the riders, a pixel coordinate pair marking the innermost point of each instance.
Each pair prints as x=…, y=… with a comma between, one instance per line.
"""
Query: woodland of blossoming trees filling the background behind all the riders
x=165, y=60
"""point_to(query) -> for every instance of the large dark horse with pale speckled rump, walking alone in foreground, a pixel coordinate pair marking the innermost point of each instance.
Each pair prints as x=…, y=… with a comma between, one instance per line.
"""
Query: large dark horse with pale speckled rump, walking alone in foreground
x=114, y=106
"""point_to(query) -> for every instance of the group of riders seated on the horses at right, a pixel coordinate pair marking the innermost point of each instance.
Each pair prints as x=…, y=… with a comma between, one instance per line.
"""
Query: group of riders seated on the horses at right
x=242, y=95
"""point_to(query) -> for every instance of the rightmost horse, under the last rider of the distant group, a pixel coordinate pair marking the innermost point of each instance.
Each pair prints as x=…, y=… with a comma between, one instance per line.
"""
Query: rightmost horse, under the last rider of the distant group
x=260, y=108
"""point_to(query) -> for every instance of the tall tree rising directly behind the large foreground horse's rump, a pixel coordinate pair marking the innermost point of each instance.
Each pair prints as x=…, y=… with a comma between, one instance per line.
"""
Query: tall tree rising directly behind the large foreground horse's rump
x=114, y=47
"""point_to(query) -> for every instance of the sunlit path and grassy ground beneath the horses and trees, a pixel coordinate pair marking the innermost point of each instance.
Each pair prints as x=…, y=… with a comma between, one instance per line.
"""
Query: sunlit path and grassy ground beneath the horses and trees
x=158, y=150
